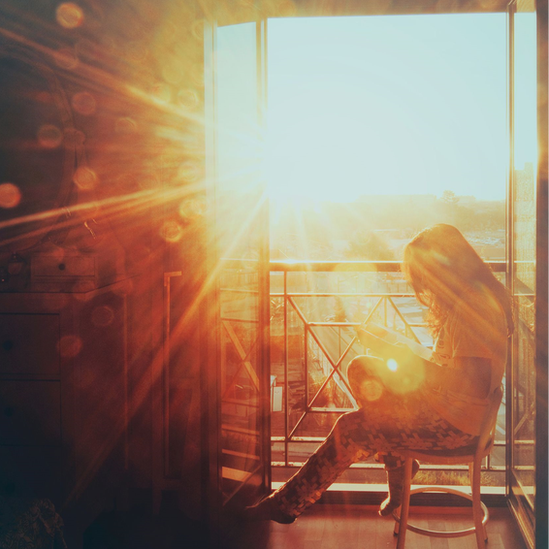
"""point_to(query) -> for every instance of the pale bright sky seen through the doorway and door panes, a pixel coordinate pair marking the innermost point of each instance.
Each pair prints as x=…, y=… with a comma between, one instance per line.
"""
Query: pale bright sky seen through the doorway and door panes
x=376, y=105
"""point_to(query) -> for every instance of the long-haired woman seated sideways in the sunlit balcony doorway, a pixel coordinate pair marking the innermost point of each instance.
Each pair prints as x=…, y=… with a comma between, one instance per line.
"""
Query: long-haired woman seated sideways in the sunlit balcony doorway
x=407, y=402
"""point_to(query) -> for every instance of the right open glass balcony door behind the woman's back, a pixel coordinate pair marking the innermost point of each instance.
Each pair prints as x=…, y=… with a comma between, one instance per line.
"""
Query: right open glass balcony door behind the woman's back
x=522, y=252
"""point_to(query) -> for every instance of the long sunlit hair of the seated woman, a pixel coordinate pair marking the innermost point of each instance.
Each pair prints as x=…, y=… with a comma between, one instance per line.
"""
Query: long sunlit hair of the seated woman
x=444, y=269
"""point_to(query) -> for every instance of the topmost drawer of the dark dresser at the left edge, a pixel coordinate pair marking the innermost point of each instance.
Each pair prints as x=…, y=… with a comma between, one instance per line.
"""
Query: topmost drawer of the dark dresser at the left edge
x=29, y=343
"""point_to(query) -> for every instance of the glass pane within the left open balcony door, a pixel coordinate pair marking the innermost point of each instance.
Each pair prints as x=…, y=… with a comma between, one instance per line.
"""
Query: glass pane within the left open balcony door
x=239, y=239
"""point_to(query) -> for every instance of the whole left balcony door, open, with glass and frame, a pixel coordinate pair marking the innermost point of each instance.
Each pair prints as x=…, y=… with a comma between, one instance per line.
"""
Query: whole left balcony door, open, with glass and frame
x=241, y=243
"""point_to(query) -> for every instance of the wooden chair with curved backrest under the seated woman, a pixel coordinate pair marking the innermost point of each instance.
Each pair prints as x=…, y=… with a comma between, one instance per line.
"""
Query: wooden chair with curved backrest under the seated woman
x=474, y=460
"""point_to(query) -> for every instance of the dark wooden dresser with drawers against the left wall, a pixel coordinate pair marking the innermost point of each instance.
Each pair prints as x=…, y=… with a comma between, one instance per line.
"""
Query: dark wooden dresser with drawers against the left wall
x=63, y=399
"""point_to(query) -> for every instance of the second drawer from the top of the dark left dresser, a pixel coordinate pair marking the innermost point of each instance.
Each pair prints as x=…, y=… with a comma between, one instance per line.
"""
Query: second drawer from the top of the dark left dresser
x=30, y=413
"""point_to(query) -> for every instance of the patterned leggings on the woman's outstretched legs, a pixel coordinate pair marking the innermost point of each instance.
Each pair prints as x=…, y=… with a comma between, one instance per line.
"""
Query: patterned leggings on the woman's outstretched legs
x=385, y=423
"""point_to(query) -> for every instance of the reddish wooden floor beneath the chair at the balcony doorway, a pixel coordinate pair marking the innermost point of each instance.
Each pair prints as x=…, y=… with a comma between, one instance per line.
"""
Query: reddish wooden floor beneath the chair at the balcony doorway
x=335, y=526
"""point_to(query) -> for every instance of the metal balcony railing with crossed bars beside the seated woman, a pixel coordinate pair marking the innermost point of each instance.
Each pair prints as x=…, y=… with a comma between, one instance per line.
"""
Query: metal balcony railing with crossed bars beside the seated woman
x=315, y=309
